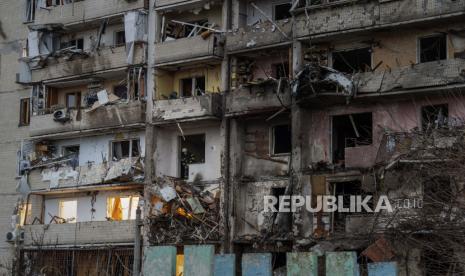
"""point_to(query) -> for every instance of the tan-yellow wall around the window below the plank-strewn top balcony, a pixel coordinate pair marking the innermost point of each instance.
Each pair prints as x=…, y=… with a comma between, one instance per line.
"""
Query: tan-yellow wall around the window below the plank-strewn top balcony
x=167, y=82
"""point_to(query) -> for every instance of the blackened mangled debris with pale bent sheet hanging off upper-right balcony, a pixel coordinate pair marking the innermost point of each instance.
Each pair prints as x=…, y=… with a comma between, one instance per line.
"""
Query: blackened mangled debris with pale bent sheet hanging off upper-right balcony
x=314, y=79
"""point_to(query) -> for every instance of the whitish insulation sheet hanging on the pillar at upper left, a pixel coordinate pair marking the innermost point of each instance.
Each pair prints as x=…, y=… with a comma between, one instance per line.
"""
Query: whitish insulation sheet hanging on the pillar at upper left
x=135, y=31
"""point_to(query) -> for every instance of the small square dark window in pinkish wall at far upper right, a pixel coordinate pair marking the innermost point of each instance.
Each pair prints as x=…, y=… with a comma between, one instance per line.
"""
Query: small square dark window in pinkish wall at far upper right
x=433, y=48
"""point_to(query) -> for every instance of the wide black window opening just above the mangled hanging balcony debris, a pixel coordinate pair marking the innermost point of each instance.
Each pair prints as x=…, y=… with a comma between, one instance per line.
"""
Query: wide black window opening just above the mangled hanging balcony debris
x=352, y=60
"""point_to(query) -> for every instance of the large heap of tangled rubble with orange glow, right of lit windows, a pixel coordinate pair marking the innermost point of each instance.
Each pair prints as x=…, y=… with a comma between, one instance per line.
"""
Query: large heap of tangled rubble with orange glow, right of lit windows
x=183, y=212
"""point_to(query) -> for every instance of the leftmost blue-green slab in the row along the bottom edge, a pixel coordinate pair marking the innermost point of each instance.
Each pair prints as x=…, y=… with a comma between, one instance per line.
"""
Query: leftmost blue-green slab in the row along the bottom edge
x=159, y=261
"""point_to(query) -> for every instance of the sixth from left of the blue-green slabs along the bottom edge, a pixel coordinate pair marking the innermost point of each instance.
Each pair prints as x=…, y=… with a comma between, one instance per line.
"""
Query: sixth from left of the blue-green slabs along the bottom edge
x=341, y=264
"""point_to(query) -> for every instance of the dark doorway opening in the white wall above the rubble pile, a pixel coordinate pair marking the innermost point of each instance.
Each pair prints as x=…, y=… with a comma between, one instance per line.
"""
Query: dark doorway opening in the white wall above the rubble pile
x=192, y=152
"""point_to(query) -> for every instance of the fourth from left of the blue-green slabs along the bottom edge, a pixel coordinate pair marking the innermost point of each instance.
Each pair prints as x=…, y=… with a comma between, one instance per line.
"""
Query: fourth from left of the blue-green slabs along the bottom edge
x=257, y=264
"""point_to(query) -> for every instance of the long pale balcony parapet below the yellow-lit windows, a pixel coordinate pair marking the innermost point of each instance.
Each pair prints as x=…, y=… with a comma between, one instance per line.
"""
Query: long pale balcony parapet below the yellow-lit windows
x=80, y=233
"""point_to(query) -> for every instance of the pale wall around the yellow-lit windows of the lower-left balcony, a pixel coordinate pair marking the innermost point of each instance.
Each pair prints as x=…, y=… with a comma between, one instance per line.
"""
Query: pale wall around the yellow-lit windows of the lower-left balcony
x=89, y=208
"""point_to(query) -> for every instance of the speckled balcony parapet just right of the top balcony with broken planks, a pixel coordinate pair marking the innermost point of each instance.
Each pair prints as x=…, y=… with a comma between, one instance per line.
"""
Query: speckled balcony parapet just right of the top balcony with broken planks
x=259, y=36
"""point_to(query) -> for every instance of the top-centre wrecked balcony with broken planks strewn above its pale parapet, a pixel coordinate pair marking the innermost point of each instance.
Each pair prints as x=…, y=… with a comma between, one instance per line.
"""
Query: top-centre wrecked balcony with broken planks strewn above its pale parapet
x=186, y=43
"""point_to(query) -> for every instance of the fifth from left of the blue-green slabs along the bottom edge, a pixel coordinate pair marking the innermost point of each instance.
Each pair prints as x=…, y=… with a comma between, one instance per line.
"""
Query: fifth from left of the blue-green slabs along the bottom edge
x=302, y=264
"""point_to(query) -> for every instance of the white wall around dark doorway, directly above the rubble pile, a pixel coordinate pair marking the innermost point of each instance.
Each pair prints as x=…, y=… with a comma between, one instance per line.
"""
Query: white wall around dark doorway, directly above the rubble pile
x=167, y=157
